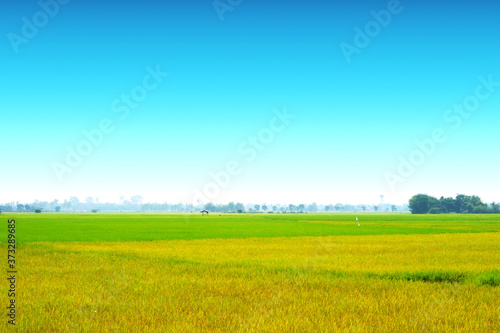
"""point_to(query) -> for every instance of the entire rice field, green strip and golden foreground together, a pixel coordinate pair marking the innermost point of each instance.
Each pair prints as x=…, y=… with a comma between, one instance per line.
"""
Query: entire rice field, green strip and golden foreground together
x=257, y=273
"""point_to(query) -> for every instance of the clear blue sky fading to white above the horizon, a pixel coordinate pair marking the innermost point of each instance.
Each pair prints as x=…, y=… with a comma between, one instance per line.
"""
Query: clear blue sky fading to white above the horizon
x=226, y=79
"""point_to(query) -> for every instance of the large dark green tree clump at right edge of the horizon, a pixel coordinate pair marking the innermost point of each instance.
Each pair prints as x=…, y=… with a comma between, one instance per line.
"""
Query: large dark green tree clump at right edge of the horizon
x=461, y=204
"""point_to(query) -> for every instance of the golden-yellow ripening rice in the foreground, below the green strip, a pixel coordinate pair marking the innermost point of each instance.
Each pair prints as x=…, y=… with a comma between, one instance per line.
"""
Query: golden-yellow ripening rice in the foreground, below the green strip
x=305, y=284
